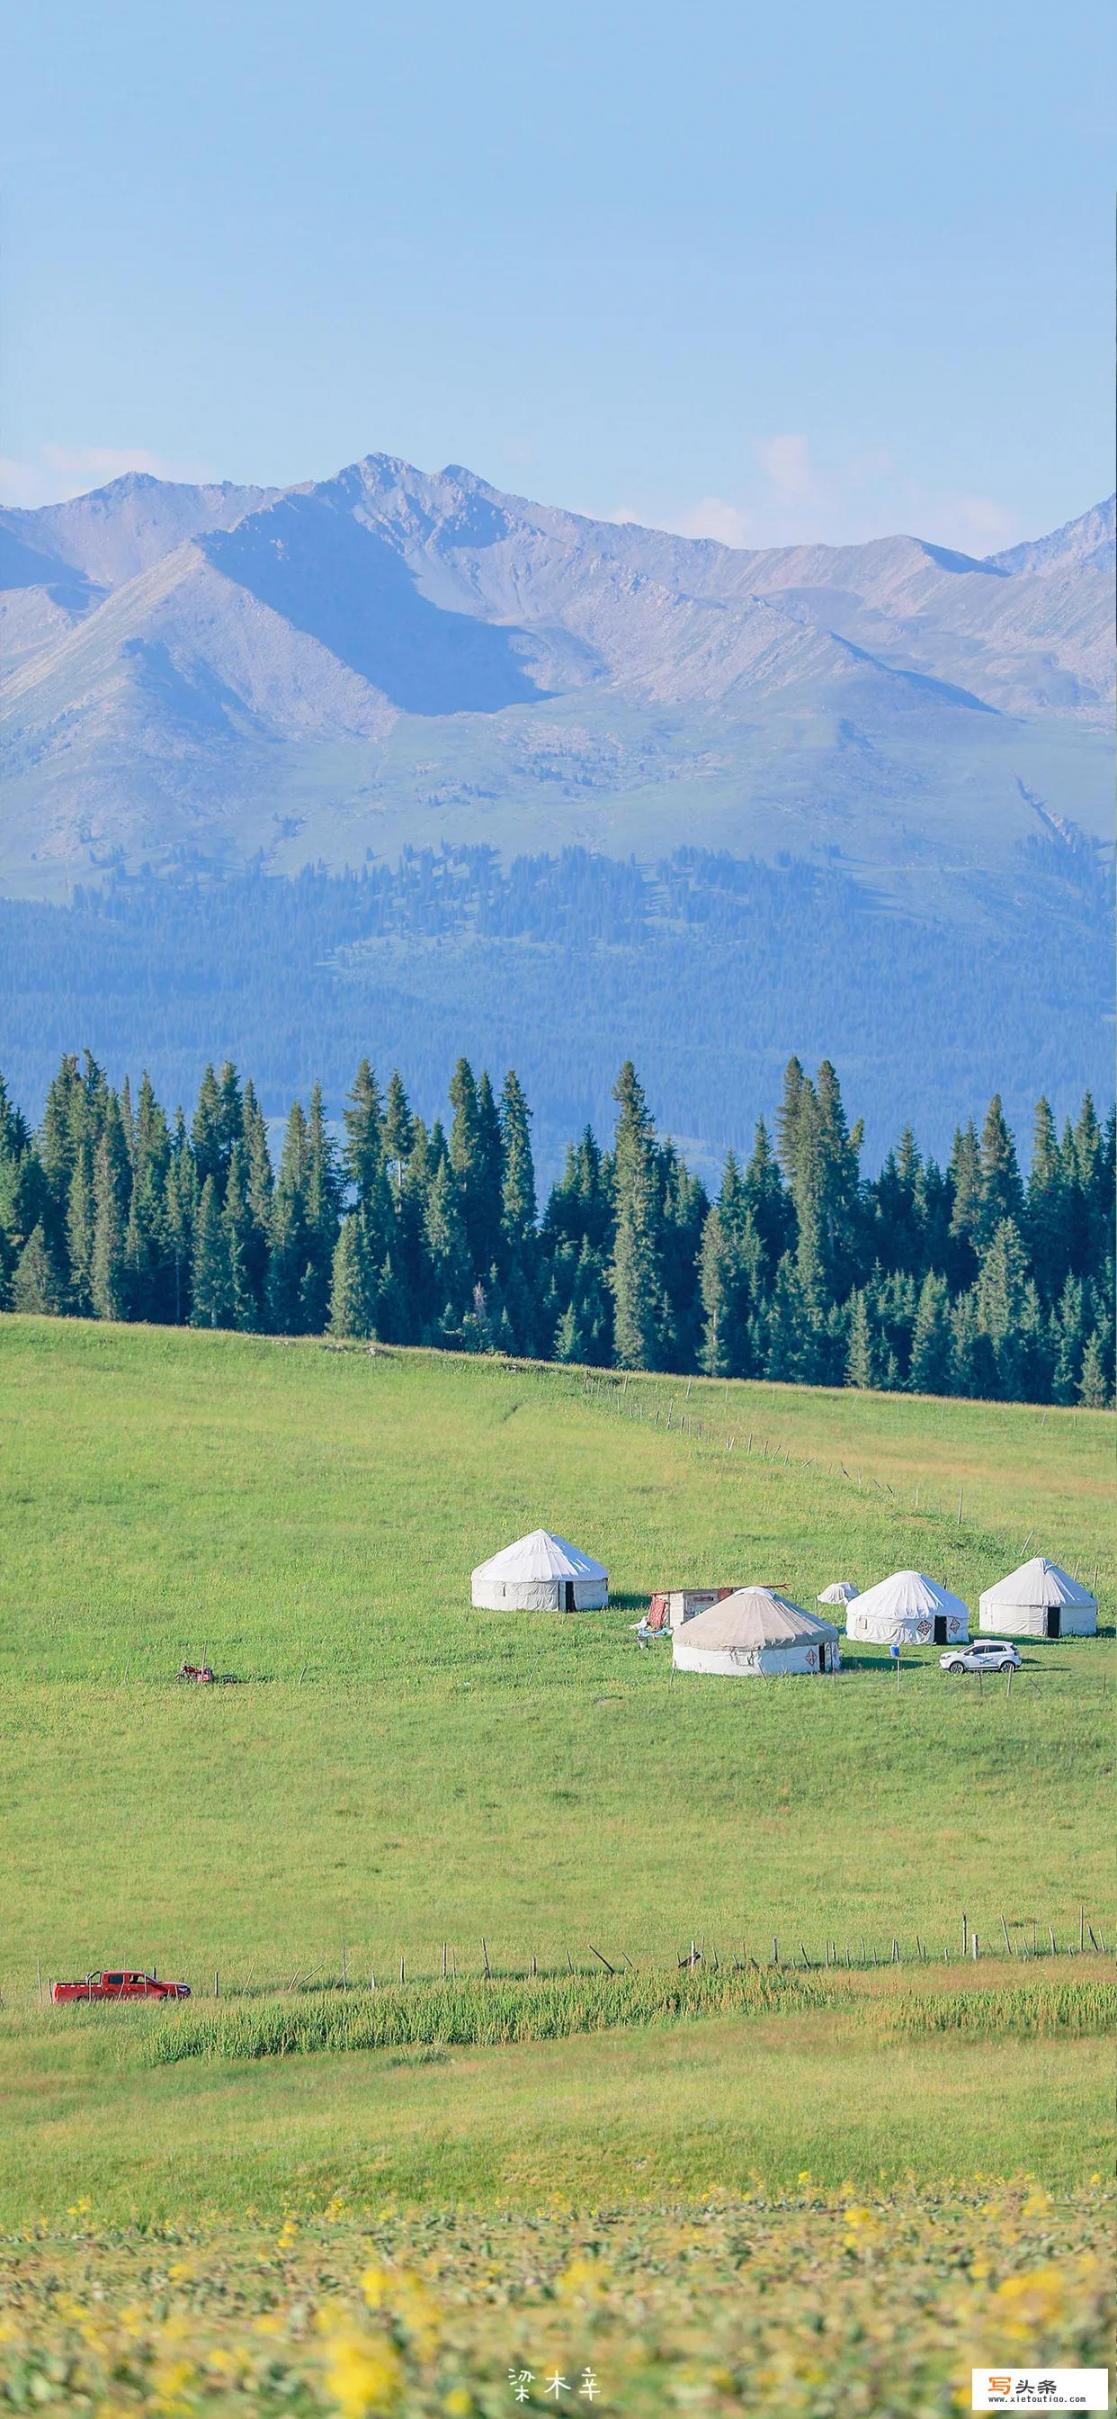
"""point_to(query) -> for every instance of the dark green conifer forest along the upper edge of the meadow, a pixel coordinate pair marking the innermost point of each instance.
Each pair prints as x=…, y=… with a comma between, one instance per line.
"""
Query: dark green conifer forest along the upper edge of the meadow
x=966, y=1278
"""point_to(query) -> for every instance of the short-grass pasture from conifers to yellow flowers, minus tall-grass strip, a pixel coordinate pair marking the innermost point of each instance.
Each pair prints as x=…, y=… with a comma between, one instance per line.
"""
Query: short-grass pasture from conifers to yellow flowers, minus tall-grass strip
x=398, y=1772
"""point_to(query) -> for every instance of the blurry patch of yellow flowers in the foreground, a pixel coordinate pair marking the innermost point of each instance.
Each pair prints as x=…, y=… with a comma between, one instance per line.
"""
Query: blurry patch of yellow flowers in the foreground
x=814, y=2304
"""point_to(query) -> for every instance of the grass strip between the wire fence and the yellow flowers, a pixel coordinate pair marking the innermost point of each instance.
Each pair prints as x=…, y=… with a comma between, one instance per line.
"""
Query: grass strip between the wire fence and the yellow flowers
x=840, y=2094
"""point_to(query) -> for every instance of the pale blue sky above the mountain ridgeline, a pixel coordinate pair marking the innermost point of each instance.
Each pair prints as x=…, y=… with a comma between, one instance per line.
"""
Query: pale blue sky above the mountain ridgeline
x=758, y=272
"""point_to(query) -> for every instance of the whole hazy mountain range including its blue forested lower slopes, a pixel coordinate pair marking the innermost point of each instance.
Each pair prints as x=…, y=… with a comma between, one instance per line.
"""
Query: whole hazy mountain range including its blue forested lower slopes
x=889, y=773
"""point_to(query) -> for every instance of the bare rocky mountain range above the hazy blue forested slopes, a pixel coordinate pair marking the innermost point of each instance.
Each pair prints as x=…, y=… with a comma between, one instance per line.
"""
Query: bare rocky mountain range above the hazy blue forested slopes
x=214, y=676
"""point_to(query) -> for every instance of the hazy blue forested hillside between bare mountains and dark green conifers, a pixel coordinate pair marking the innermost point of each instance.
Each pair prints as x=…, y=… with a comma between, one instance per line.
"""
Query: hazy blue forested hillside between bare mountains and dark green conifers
x=565, y=966
